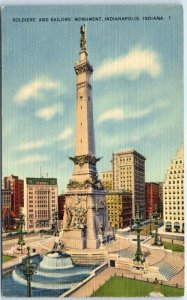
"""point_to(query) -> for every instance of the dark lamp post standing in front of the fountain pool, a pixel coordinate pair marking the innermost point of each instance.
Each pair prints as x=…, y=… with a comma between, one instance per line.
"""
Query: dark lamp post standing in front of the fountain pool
x=28, y=270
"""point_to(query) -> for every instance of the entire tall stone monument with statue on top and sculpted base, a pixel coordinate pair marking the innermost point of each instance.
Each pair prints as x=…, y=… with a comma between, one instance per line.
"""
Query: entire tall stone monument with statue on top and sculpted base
x=85, y=218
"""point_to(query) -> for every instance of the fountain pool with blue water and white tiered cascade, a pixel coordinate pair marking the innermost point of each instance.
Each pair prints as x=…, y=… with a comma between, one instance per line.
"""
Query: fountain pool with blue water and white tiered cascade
x=50, y=281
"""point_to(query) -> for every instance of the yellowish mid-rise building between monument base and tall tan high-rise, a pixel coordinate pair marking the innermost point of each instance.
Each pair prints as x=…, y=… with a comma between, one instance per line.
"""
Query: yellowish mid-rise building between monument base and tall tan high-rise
x=119, y=208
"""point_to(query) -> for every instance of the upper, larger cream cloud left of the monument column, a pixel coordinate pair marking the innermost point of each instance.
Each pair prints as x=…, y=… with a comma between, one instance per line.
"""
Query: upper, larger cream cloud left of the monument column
x=35, y=89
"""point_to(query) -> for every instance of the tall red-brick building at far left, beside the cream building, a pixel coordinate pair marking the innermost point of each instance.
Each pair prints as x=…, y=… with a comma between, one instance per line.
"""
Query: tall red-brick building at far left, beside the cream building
x=16, y=186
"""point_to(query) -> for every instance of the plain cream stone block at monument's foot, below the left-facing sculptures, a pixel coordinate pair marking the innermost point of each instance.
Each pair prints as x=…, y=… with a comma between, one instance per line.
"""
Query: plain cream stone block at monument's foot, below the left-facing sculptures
x=74, y=238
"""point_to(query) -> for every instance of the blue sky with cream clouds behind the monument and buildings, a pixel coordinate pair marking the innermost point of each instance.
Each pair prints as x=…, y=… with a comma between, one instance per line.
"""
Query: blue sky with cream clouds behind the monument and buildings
x=137, y=87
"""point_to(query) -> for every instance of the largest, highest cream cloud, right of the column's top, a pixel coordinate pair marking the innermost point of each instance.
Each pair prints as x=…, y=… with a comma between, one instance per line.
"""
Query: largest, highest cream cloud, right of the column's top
x=132, y=65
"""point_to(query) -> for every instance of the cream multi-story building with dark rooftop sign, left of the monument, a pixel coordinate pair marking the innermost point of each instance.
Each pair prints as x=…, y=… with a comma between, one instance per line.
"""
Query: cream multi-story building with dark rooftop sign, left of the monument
x=41, y=196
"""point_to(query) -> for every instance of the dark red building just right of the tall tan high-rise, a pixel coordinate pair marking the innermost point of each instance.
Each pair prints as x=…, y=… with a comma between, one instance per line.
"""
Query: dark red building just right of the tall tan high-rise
x=152, y=198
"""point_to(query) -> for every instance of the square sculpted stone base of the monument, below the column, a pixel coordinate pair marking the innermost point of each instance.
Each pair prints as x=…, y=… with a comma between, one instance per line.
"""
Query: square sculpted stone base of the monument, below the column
x=84, y=217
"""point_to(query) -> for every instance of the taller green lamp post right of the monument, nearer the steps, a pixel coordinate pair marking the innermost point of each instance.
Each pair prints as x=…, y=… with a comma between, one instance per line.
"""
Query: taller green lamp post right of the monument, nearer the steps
x=137, y=227
